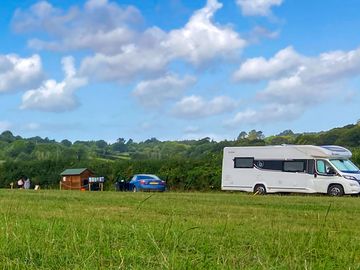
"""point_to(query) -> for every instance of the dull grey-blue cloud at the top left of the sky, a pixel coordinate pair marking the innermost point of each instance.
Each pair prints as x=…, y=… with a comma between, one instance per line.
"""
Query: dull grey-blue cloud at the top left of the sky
x=100, y=26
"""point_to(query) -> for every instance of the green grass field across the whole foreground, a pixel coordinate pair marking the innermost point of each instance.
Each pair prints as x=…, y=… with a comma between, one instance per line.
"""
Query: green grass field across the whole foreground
x=108, y=230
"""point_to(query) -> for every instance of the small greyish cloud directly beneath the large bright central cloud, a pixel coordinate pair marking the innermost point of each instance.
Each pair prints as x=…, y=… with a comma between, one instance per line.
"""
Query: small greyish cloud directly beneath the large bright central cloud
x=153, y=93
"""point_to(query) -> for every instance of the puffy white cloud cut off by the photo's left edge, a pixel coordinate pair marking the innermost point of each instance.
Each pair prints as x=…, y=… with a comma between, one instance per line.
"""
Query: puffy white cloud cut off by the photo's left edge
x=18, y=73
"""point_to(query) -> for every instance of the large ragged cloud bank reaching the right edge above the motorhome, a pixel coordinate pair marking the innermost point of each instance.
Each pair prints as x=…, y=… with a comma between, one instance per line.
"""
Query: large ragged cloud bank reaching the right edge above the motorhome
x=305, y=82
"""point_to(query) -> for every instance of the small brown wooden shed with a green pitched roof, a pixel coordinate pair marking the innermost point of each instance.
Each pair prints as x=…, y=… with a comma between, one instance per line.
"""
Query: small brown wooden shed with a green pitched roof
x=75, y=179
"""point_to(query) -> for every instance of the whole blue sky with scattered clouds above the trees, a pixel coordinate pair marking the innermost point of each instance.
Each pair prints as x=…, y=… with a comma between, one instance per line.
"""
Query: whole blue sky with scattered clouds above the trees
x=177, y=69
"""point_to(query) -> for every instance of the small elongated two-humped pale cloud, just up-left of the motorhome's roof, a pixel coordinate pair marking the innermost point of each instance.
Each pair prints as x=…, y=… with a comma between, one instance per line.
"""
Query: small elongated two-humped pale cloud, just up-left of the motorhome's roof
x=198, y=107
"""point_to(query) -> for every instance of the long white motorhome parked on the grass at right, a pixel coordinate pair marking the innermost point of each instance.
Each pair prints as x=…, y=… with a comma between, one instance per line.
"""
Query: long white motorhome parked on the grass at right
x=290, y=168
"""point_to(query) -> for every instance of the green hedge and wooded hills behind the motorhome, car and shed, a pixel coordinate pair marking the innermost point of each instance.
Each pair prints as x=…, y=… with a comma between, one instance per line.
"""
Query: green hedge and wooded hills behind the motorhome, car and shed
x=185, y=165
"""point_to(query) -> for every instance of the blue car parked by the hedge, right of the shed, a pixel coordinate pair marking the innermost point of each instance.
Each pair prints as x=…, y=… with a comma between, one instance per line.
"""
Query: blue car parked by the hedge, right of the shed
x=146, y=182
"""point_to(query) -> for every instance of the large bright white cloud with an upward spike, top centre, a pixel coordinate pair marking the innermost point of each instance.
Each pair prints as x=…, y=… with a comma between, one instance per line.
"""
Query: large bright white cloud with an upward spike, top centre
x=199, y=41
